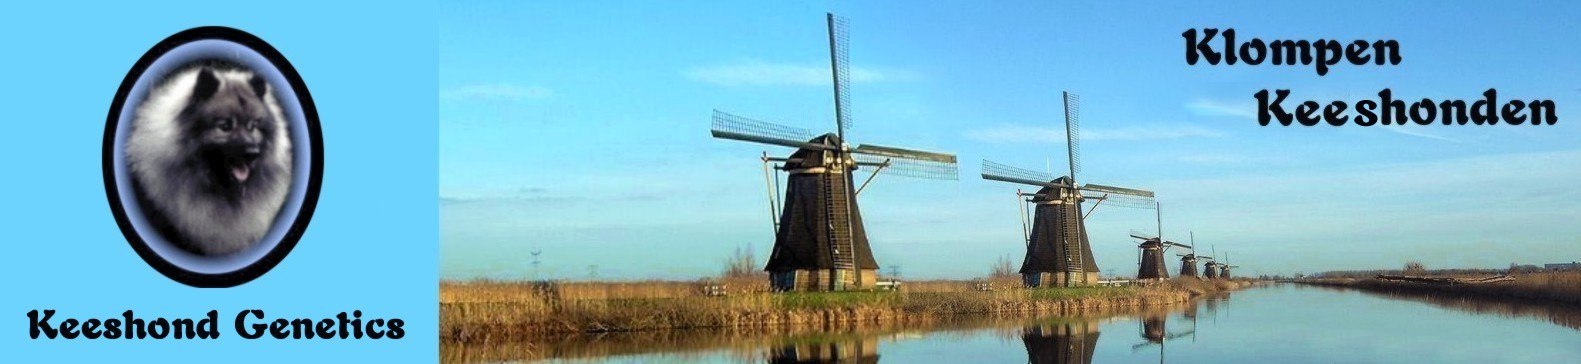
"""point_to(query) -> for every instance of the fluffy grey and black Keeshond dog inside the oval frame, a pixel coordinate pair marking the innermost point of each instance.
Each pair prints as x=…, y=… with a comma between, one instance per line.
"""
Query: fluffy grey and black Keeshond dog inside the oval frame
x=211, y=159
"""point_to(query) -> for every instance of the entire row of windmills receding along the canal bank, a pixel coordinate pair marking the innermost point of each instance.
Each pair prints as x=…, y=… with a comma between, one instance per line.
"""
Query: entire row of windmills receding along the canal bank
x=820, y=238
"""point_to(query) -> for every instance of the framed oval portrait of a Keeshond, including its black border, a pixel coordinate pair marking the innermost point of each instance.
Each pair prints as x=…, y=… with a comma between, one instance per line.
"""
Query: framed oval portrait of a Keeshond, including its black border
x=213, y=157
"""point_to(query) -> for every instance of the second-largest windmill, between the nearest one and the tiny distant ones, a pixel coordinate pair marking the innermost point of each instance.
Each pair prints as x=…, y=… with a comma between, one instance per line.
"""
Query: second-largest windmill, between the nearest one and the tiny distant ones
x=1058, y=252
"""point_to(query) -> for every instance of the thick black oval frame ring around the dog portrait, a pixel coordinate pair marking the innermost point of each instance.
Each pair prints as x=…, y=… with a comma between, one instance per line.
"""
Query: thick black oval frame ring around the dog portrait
x=314, y=181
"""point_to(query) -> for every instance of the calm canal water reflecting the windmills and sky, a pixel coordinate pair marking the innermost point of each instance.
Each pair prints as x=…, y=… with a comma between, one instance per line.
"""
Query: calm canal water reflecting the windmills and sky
x=1275, y=324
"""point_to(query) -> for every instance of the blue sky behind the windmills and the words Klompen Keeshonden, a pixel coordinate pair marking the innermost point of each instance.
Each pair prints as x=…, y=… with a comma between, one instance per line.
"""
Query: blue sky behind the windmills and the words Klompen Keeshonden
x=581, y=129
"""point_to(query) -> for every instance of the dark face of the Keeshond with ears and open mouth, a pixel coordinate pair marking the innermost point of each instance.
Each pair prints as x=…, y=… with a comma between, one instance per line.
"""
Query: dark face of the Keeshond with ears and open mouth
x=230, y=129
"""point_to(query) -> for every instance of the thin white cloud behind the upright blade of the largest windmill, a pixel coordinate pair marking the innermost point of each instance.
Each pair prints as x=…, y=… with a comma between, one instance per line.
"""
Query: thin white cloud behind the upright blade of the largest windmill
x=768, y=74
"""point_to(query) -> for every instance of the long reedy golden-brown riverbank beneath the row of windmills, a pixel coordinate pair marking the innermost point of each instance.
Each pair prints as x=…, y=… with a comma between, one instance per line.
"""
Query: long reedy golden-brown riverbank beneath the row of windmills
x=511, y=311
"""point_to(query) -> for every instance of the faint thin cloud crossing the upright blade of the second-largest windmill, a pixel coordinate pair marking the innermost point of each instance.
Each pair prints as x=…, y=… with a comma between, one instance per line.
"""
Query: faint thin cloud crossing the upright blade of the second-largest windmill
x=1022, y=134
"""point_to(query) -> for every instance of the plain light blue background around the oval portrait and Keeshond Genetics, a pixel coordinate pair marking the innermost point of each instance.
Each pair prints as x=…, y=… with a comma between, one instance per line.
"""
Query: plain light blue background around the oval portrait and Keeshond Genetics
x=372, y=241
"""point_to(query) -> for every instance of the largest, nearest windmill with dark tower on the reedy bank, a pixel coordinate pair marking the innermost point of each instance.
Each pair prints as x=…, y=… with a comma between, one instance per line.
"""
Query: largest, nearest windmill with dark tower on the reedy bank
x=820, y=241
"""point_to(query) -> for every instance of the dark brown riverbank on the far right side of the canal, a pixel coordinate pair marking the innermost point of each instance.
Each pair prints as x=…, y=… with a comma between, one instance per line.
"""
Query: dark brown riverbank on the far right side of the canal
x=1558, y=289
